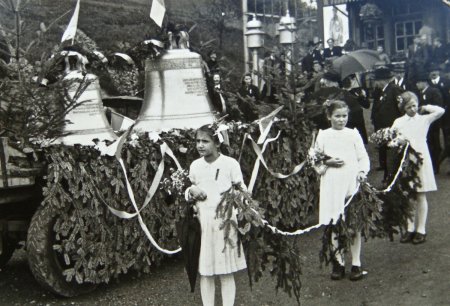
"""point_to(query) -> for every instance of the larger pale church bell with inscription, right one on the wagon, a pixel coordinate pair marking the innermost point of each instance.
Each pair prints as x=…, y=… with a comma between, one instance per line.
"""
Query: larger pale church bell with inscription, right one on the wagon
x=175, y=93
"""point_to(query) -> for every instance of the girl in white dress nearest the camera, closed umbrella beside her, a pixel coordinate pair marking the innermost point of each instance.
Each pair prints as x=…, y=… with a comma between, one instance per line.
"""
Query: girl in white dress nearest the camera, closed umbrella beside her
x=211, y=175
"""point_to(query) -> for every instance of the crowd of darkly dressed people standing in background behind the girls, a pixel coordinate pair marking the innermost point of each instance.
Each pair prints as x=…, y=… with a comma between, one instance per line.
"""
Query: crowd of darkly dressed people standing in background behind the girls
x=423, y=72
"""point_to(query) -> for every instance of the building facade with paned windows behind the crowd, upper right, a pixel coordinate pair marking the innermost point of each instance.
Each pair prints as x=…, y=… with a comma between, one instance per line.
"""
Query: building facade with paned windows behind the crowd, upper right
x=392, y=24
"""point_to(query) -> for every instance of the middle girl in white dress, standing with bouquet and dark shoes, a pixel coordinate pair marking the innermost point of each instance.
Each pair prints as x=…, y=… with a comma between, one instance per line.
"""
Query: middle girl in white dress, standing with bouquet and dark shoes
x=349, y=163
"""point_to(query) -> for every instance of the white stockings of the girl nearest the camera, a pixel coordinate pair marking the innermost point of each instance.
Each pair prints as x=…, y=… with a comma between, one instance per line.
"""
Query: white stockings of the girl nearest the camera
x=207, y=289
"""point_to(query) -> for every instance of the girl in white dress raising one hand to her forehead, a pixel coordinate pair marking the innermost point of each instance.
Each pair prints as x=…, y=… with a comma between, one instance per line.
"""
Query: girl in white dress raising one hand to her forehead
x=414, y=127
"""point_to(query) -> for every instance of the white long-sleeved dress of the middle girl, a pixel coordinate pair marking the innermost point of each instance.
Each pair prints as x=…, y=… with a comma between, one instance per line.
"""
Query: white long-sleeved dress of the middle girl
x=336, y=184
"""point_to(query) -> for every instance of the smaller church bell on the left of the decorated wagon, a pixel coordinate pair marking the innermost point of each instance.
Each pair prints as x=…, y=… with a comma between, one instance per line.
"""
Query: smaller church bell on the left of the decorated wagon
x=87, y=121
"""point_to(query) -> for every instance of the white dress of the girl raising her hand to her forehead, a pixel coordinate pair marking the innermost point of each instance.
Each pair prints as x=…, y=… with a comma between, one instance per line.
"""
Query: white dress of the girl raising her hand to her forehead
x=415, y=130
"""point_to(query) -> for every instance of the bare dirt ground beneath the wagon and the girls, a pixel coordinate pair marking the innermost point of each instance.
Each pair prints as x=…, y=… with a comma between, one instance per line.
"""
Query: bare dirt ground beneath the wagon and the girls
x=398, y=274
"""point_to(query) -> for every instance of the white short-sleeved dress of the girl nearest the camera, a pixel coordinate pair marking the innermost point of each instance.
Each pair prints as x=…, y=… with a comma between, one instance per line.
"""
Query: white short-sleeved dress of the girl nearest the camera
x=215, y=178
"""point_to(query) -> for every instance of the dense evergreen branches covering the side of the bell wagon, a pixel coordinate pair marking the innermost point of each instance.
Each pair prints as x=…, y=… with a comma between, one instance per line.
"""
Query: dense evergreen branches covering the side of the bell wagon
x=96, y=246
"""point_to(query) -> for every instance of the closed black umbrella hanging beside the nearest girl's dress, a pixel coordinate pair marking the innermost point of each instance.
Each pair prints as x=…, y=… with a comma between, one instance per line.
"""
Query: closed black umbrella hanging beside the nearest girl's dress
x=189, y=236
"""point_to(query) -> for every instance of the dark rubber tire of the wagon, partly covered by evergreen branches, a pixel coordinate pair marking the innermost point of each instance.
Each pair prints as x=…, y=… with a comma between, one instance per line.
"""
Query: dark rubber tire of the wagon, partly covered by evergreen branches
x=43, y=260
